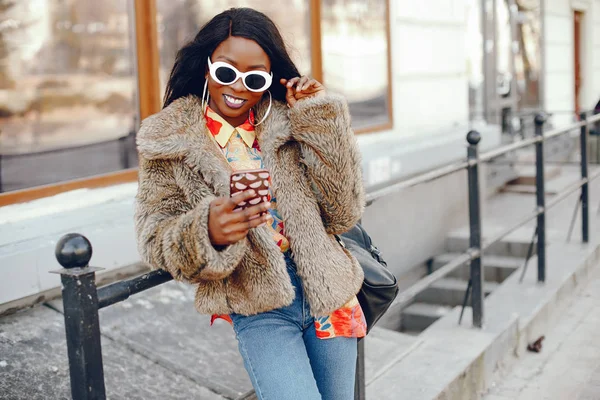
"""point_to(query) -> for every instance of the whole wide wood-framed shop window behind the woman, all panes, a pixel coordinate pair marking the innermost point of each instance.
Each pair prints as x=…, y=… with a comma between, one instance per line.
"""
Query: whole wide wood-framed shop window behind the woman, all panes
x=69, y=97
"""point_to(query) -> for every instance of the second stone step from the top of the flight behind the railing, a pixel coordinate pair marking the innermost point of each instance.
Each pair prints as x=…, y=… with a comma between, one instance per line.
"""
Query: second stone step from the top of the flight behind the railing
x=495, y=268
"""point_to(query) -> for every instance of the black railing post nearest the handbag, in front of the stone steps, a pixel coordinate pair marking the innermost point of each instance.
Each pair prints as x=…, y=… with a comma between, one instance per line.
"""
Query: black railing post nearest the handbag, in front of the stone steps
x=473, y=137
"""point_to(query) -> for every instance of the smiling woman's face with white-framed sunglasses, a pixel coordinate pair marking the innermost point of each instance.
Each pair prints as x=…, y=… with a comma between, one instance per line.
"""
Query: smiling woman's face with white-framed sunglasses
x=232, y=102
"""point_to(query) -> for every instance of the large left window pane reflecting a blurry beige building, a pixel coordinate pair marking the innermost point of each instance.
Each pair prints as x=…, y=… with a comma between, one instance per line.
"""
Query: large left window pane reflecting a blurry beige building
x=66, y=90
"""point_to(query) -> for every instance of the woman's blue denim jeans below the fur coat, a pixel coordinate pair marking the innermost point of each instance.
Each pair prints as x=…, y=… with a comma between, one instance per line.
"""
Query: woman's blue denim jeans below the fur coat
x=284, y=358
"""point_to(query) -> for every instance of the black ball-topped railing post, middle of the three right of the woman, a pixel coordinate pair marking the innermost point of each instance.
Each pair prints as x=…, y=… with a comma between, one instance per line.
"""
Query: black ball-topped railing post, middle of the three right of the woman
x=539, y=120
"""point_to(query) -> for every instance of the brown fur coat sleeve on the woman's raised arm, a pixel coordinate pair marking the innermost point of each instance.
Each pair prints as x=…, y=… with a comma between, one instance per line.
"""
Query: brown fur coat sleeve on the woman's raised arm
x=331, y=158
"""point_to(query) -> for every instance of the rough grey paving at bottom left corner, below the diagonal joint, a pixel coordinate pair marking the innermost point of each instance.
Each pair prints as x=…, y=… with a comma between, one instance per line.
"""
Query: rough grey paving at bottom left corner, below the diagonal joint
x=34, y=366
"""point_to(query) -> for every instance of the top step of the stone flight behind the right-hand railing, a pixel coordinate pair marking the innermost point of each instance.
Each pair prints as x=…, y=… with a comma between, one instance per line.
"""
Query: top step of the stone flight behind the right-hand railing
x=515, y=244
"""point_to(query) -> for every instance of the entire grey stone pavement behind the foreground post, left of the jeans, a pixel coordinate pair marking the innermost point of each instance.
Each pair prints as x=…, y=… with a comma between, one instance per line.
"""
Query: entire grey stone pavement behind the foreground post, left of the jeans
x=154, y=346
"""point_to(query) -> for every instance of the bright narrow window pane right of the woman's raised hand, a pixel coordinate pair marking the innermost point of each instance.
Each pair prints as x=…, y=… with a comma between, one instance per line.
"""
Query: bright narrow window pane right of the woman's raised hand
x=355, y=55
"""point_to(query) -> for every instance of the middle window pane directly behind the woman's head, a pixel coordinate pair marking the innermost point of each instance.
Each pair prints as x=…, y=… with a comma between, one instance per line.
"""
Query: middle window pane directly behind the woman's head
x=180, y=20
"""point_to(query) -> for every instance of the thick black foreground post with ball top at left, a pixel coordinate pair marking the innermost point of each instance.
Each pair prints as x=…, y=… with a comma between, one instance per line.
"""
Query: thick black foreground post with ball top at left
x=82, y=327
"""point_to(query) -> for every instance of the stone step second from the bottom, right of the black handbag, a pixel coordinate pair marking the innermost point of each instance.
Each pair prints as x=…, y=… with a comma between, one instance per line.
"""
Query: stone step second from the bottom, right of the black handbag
x=449, y=292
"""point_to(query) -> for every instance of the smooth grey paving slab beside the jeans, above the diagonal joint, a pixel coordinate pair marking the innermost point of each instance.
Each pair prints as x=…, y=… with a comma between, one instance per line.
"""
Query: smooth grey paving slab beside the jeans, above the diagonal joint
x=162, y=325
